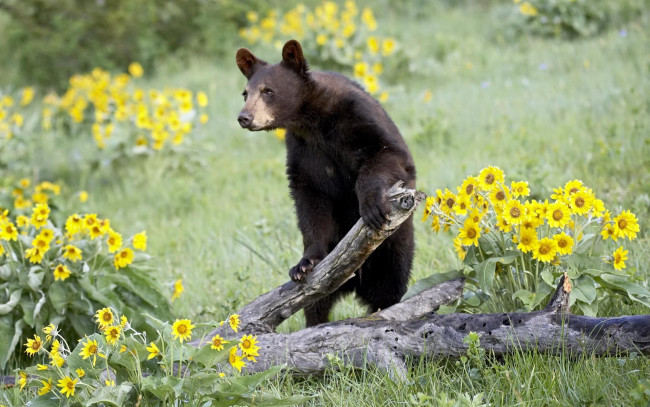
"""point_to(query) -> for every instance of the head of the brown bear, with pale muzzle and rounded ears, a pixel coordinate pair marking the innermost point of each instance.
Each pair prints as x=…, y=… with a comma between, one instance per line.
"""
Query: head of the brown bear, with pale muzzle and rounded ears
x=274, y=93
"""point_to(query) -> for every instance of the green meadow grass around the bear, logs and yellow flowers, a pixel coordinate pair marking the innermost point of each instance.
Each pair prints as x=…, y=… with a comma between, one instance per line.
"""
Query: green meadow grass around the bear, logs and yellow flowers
x=546, y=111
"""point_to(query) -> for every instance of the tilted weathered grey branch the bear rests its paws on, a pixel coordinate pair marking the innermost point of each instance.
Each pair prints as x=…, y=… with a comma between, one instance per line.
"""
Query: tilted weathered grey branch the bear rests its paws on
x=266, y=312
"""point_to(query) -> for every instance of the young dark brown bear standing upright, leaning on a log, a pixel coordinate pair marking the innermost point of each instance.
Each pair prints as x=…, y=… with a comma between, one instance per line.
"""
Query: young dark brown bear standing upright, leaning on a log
x=343, y=154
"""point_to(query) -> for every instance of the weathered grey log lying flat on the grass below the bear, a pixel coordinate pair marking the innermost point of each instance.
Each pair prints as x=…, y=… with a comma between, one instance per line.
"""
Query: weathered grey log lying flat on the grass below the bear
x=387, y=343
